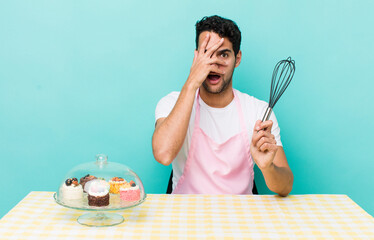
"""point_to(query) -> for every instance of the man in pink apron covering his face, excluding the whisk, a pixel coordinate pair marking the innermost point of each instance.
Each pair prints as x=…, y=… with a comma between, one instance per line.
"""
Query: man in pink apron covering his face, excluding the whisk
x=210, y=132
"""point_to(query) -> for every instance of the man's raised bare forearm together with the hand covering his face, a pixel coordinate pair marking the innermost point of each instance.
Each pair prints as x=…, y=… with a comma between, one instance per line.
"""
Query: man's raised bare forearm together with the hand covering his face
x=170, y=133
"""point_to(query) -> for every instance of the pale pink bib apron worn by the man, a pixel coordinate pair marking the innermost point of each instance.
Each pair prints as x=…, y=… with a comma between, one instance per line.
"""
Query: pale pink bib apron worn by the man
x=213, y=168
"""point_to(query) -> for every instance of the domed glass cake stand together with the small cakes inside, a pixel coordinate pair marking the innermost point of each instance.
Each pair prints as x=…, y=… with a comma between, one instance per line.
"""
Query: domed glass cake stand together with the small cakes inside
x=100, y=186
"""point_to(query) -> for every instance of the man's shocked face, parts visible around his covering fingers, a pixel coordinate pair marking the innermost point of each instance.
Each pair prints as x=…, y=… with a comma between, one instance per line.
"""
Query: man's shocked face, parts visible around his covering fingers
x=217, y=83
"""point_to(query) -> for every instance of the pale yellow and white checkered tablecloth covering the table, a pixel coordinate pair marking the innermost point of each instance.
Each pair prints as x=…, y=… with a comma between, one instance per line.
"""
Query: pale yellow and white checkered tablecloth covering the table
x=37, y=216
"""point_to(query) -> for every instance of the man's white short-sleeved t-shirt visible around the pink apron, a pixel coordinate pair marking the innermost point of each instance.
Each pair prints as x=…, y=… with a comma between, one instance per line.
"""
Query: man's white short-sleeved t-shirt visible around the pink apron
x=218, y=123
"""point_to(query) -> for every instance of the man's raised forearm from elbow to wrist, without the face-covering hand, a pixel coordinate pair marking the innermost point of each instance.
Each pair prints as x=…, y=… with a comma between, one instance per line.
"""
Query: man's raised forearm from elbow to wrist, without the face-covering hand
x=169, y=135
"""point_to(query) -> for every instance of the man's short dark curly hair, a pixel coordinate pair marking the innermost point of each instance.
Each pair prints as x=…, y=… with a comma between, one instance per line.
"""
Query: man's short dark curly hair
x=223, y=27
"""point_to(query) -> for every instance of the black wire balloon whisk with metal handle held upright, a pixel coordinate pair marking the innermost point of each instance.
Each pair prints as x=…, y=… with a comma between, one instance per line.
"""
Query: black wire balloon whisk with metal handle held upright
x=282, y=76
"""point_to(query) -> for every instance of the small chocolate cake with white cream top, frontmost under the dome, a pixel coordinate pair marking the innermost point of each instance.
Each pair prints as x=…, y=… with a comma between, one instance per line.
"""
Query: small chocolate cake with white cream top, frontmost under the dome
x=98, y=193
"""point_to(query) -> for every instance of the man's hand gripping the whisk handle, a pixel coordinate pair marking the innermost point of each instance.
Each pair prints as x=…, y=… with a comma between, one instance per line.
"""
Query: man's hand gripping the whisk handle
x=263, y=144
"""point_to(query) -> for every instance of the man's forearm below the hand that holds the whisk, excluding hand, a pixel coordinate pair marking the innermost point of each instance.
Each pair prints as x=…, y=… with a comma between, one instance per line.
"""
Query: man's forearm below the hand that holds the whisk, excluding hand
x=278, y=179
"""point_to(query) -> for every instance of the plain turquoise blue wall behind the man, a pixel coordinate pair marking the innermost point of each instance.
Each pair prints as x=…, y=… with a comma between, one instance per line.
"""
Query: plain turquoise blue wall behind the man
x=79, y=78
